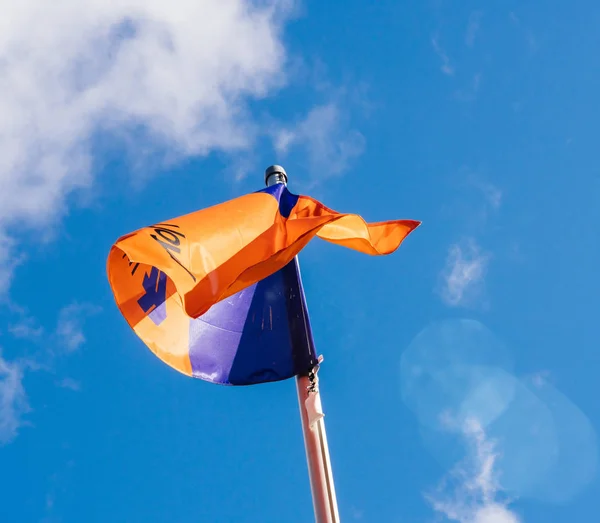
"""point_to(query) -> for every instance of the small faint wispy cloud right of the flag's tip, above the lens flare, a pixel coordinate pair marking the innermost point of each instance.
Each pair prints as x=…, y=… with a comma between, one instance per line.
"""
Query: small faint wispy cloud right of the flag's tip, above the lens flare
x=463, y=275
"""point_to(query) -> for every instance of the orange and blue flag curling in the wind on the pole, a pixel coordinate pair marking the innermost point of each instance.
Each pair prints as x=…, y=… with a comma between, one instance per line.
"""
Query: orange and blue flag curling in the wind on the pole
x=216, y=294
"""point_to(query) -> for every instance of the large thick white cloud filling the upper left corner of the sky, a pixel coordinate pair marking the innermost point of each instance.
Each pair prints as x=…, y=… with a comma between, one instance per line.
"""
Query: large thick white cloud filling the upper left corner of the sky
x=174, y=76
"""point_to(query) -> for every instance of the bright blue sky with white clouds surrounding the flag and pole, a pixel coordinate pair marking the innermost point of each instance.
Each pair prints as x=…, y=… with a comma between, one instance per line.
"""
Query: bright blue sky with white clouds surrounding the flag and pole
x=460, y=373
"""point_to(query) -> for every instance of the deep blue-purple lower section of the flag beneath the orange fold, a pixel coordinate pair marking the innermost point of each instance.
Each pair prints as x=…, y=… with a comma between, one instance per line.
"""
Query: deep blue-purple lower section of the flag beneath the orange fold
x=261, y=334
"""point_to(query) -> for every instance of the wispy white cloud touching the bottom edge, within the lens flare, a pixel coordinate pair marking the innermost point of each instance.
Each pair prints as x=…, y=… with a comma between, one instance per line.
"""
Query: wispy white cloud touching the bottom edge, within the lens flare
x=471, y=492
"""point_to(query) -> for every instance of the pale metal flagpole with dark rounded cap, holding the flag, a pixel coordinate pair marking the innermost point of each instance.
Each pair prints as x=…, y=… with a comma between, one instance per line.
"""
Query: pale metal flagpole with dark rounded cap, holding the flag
x=313, y=424
